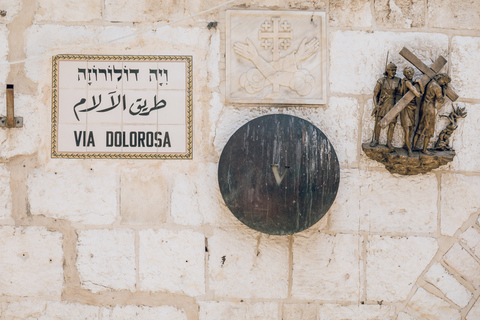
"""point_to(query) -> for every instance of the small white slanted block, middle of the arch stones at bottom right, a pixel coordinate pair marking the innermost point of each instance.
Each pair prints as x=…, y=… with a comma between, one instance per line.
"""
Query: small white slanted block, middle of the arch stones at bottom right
x=453, y=290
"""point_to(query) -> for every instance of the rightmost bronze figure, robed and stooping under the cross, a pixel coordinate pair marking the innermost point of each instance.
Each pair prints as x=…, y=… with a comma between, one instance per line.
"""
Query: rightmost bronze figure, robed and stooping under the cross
x=433, y=99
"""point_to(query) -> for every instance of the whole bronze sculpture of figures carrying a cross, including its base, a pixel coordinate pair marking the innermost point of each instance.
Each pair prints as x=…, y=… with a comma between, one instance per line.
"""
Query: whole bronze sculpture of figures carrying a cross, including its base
x=414, y=103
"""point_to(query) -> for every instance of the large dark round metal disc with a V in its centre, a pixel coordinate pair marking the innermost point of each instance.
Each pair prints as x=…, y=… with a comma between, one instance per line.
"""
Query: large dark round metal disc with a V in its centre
x=278, y=174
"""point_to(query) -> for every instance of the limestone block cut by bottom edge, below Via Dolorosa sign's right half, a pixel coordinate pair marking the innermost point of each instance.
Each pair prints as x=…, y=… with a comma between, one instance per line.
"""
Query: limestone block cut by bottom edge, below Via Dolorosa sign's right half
x=144, y=313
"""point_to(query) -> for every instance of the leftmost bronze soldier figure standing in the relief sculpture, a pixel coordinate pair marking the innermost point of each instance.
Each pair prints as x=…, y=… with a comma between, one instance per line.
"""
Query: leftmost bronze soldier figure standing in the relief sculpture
x=384, y=98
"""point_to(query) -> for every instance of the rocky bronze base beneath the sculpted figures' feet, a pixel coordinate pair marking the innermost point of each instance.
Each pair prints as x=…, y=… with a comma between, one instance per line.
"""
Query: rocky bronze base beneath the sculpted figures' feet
x=398, y=161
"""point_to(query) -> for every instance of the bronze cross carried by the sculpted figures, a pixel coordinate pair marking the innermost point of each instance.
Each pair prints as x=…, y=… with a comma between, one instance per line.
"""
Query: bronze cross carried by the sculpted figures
x=429, y=73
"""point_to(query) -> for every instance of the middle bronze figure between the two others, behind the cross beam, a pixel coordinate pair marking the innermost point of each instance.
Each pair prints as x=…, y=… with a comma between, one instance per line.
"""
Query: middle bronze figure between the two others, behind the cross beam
x=407, y=115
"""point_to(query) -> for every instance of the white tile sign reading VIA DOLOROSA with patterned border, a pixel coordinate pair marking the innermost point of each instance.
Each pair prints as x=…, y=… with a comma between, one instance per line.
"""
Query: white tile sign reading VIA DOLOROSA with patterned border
x=133, y=107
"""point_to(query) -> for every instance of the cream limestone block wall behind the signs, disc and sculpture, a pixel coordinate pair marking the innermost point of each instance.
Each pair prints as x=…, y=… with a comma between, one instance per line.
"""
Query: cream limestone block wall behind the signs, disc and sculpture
x=151, y=239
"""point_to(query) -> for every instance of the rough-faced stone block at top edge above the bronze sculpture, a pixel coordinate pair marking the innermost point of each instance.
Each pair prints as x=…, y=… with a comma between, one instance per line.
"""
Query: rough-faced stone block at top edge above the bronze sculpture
x=400, y=14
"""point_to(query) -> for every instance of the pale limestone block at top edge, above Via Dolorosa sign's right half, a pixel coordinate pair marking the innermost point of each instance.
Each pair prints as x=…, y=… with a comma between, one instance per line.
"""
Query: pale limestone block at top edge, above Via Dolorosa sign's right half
x=144, y=10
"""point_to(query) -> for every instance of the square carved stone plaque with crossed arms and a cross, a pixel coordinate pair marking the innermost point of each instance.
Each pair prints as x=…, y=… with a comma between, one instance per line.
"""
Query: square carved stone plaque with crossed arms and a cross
x=276, y=57
